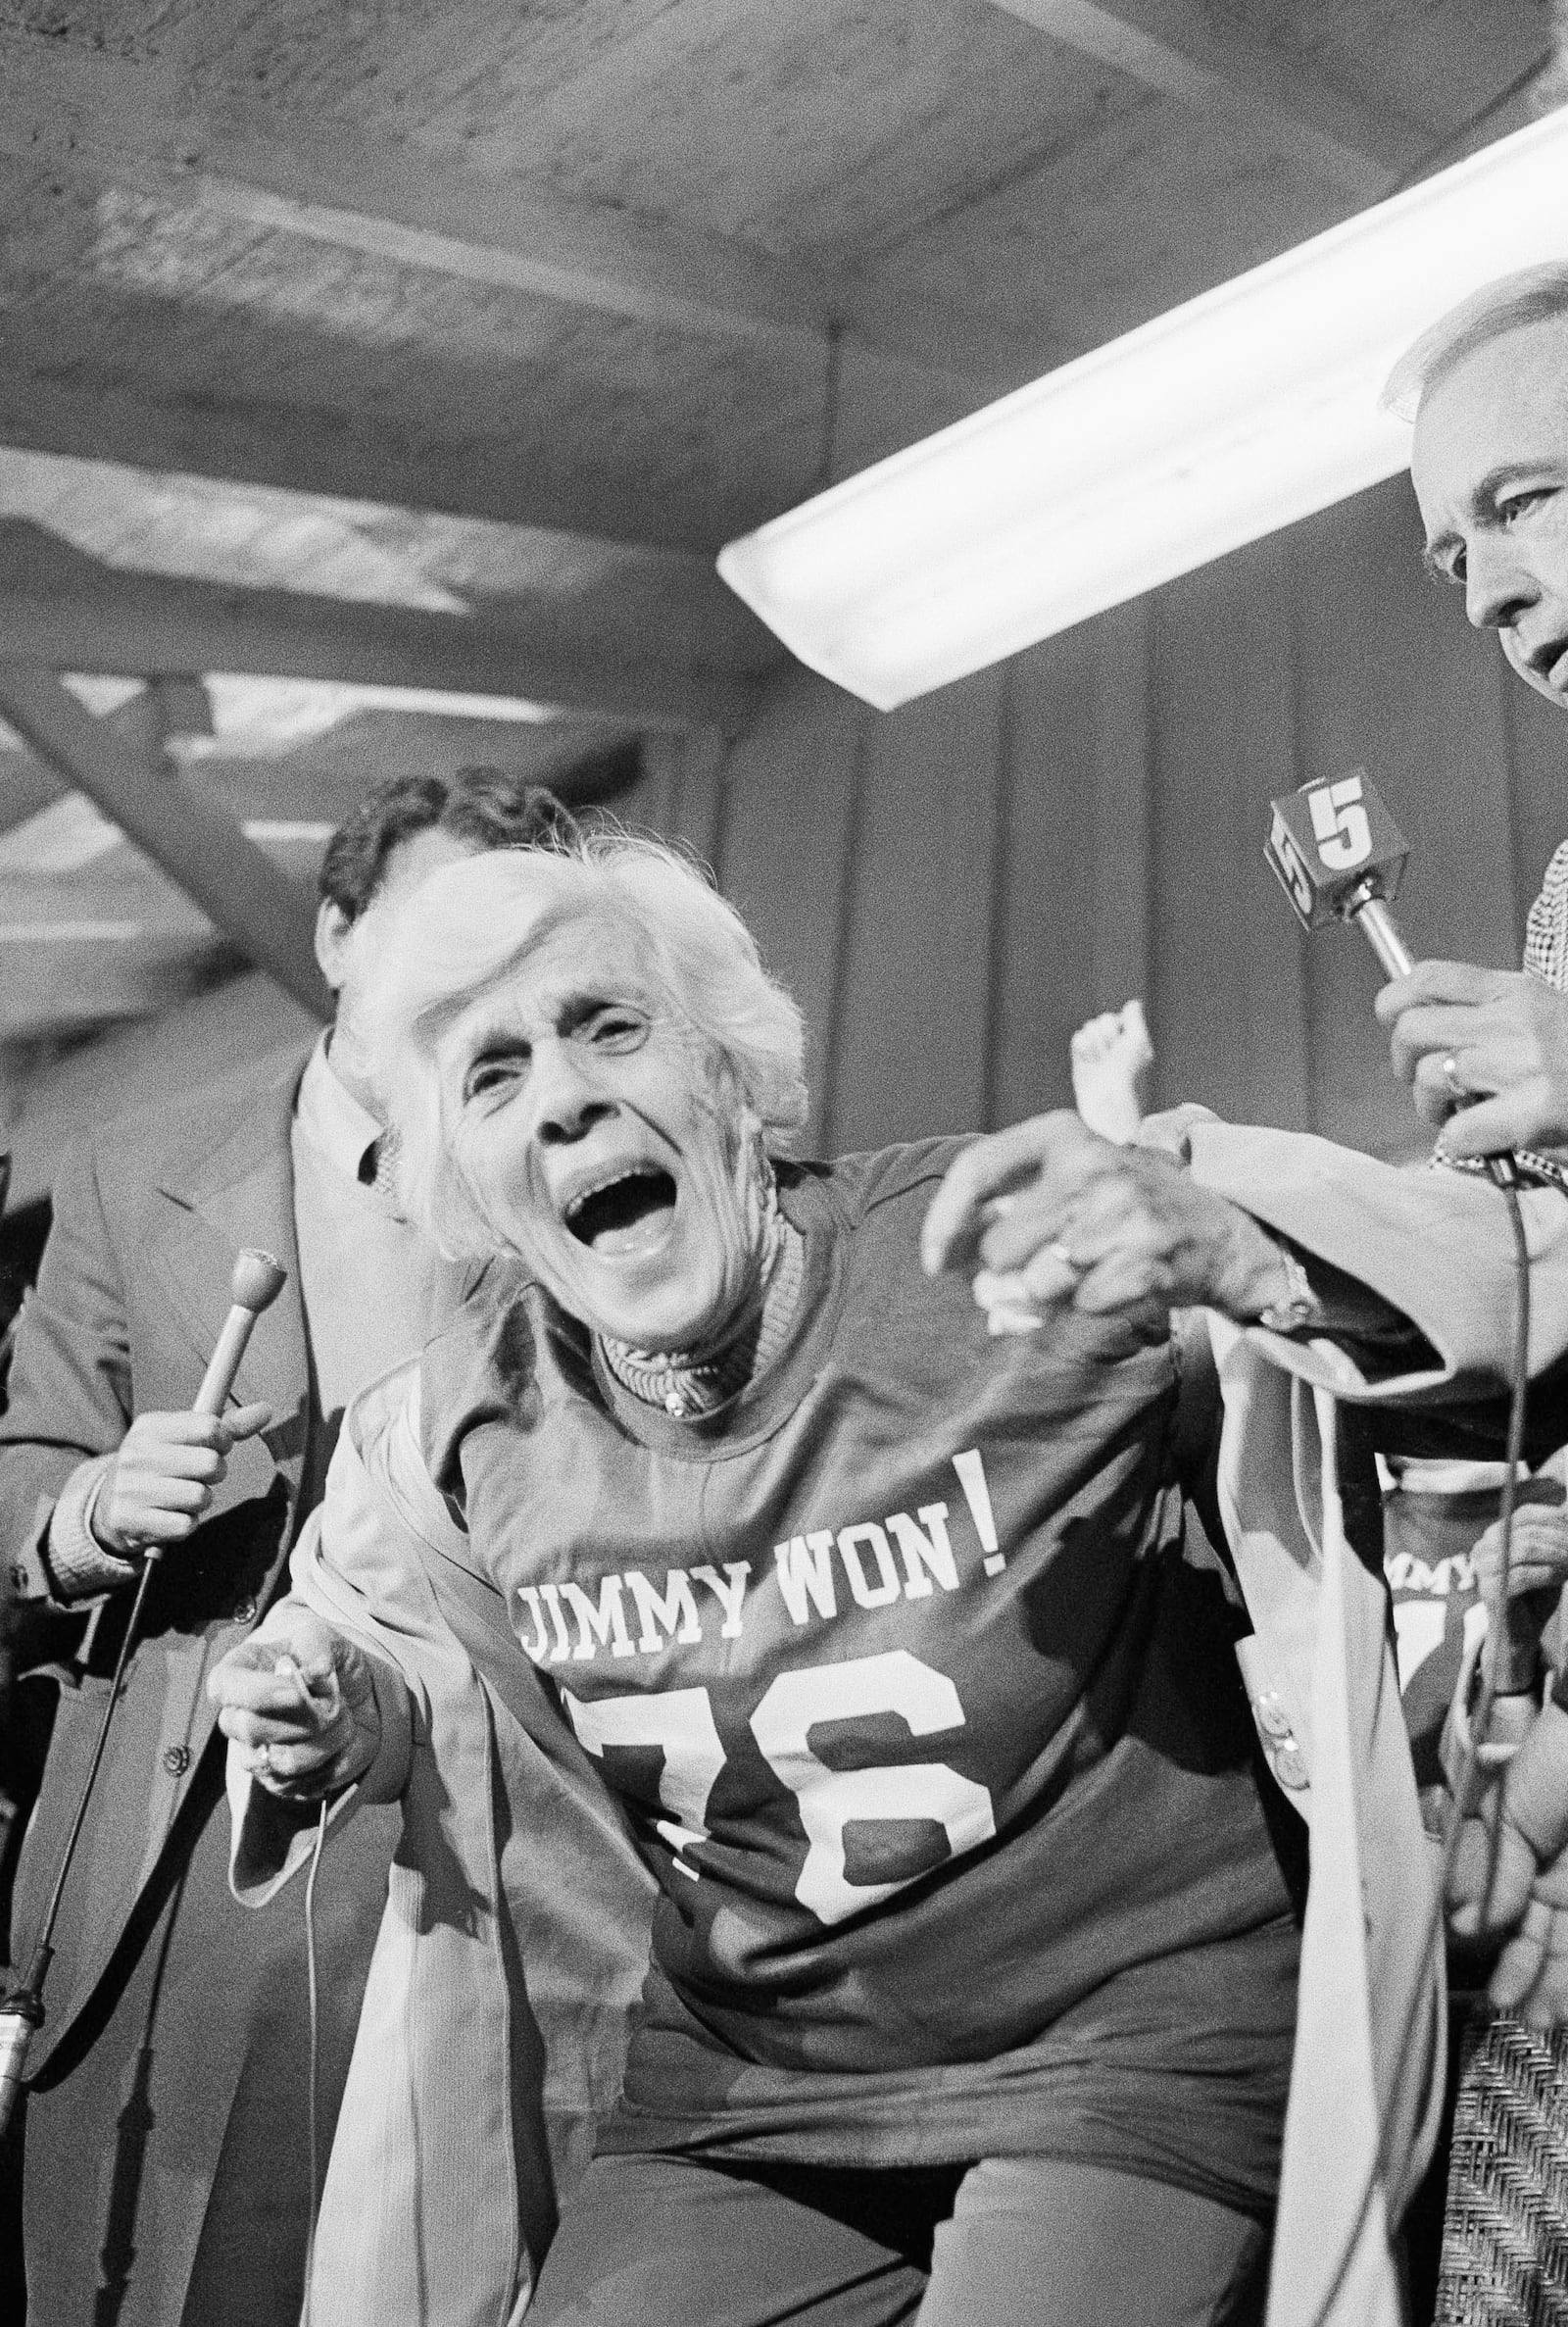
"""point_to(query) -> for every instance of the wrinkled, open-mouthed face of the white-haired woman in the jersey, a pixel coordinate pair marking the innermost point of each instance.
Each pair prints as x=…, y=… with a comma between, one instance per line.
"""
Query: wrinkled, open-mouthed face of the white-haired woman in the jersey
x=604, y=1141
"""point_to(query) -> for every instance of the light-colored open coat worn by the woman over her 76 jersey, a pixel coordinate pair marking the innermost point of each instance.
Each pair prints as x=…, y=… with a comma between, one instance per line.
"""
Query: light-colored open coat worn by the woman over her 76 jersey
x=1371, y=2019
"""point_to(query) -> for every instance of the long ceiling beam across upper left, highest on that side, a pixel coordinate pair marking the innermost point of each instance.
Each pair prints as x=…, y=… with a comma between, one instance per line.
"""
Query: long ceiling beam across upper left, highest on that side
x=129, y=124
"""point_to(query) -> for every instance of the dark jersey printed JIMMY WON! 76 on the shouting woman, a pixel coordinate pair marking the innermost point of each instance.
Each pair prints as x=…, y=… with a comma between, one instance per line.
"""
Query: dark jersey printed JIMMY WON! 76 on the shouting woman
x=925, y=1718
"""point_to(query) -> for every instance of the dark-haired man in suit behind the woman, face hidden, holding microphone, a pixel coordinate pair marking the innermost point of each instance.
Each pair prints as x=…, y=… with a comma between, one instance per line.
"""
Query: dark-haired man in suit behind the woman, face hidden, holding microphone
x=169, y=2126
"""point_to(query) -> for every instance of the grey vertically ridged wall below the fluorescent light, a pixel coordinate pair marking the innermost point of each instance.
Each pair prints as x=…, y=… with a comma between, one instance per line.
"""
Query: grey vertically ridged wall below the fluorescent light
x=953, y=888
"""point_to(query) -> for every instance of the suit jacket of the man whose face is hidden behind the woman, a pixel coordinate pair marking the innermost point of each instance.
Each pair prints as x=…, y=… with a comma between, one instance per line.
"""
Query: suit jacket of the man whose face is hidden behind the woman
x=131, y=1297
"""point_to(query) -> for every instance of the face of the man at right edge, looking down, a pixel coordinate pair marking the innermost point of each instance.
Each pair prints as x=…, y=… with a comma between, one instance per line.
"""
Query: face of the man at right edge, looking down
x=1490, y=469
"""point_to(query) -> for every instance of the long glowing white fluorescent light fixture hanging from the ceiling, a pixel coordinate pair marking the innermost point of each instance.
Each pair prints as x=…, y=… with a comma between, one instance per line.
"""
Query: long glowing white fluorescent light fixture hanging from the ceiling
x=1225, y=420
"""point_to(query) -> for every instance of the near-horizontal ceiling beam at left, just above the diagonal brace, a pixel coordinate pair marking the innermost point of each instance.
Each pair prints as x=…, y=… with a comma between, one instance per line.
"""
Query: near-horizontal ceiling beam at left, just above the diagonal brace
x=148, y=625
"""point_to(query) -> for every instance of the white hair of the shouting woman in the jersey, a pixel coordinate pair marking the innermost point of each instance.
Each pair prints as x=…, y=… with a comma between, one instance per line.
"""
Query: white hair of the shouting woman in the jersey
x=466, y=927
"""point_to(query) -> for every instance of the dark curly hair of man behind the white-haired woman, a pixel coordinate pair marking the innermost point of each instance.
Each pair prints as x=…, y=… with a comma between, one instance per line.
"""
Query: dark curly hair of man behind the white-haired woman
x=485, y=806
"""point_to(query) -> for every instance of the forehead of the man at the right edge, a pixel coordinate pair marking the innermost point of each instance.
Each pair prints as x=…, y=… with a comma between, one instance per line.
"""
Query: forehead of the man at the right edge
x=1497, y=406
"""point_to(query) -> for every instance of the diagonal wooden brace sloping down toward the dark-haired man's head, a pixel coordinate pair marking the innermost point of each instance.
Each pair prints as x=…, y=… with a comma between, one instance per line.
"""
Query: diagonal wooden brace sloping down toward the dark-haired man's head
x=204, y=851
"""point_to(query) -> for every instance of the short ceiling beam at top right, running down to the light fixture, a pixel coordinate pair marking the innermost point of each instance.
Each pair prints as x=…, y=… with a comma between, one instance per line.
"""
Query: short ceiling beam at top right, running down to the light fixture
x=1218, y=69
